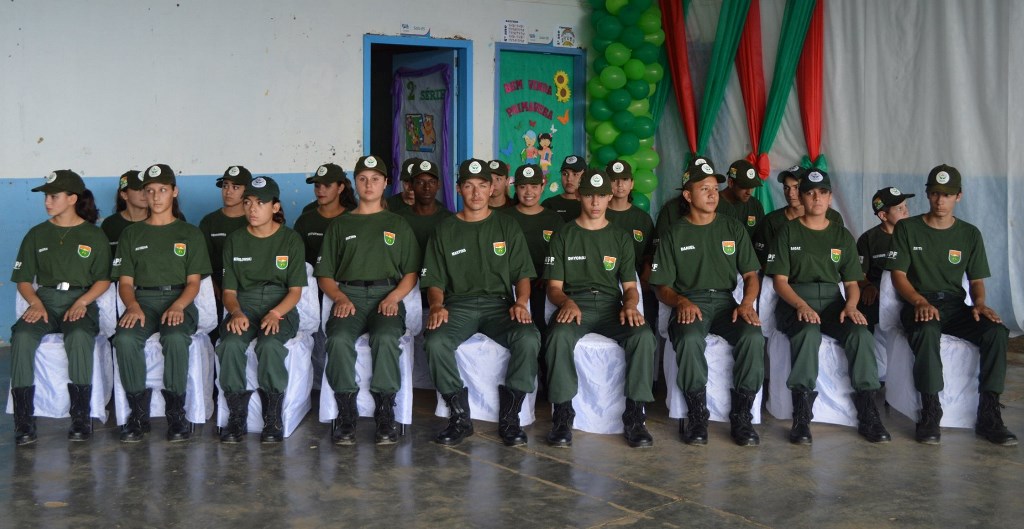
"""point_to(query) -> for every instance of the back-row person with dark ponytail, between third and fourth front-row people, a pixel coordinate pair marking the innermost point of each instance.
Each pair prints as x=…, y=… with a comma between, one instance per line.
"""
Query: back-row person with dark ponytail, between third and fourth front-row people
x=334, y=198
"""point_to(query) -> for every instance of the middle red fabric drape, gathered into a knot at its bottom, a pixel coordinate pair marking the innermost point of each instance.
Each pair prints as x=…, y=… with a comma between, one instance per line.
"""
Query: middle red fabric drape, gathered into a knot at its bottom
x=752, y=83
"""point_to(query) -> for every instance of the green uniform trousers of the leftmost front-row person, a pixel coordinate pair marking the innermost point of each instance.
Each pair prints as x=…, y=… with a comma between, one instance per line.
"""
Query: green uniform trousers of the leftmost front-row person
x=80, y=338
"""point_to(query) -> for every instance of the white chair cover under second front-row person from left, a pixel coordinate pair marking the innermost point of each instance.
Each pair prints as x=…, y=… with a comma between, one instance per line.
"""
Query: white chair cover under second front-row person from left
x=199, y=390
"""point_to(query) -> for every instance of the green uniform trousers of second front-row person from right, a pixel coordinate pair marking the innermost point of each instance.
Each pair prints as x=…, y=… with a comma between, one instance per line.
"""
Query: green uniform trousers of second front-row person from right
x=805, y=339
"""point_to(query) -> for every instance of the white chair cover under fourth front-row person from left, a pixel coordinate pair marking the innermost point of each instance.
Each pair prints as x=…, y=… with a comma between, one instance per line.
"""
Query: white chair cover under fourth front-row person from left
x=364, y=367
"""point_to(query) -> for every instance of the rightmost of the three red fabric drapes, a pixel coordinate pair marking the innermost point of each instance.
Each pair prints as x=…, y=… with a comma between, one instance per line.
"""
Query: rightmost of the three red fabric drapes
x=810, y=72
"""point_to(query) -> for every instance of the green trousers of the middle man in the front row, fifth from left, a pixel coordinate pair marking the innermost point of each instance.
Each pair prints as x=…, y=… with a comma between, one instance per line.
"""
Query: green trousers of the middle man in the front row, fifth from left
x=489, y=316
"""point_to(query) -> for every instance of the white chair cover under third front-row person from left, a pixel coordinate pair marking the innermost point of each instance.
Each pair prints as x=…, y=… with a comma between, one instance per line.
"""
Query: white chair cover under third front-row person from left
x=298, y=365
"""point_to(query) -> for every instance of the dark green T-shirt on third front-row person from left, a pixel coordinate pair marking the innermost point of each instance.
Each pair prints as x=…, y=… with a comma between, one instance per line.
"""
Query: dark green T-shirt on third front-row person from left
x=251, y=262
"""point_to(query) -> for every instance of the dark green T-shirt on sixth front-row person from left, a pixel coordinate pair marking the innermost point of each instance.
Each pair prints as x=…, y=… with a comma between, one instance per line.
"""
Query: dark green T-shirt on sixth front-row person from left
x=591, y=259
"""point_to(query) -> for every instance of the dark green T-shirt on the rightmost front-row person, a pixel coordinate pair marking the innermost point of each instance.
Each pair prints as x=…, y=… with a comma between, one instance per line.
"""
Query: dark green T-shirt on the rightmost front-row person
x=935, y=260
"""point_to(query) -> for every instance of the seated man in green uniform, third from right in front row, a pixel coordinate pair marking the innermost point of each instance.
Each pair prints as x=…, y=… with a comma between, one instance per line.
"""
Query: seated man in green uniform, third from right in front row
x=696, y=271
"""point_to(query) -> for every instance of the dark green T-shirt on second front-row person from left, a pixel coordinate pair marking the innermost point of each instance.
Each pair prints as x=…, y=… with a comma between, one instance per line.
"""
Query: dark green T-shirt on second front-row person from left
x=157, y=256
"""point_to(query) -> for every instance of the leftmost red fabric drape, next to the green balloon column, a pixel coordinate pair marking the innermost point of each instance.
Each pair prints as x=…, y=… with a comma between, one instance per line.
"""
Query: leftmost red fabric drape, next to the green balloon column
x=679, y=67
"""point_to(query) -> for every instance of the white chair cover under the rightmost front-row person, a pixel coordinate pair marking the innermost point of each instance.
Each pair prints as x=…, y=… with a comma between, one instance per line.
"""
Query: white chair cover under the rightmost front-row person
x=961, y=367
